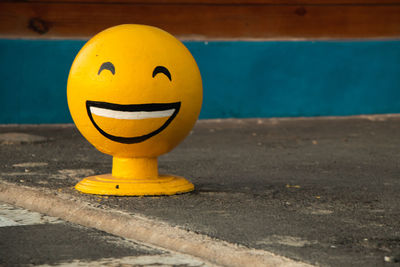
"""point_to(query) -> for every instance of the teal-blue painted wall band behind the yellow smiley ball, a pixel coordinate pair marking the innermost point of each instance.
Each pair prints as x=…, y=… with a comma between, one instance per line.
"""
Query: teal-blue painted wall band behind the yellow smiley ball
x=241, y=79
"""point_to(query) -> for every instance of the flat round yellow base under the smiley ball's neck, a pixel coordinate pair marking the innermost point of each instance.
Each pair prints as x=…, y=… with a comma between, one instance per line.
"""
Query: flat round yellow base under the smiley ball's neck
x=106, y=184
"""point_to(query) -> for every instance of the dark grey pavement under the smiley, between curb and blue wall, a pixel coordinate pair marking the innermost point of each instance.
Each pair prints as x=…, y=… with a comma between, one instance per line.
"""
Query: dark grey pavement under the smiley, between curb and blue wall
x=323, y=191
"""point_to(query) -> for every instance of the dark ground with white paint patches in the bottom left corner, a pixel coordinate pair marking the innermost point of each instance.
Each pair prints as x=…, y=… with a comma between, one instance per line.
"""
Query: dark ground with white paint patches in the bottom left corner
x=33, y=239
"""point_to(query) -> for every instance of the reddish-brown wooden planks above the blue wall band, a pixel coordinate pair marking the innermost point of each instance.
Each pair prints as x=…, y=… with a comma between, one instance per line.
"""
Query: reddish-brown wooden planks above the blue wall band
x=206, y=19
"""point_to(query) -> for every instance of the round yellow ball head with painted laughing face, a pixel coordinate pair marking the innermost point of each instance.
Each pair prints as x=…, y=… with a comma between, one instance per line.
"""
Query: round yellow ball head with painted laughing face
x=134, y=91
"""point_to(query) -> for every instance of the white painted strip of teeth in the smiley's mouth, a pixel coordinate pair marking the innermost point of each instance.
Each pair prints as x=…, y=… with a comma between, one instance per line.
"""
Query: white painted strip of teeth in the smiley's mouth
x=131, y=115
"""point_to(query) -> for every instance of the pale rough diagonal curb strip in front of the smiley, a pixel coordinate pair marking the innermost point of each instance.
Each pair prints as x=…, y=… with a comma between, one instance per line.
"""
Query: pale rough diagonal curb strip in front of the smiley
x=137, y=227
